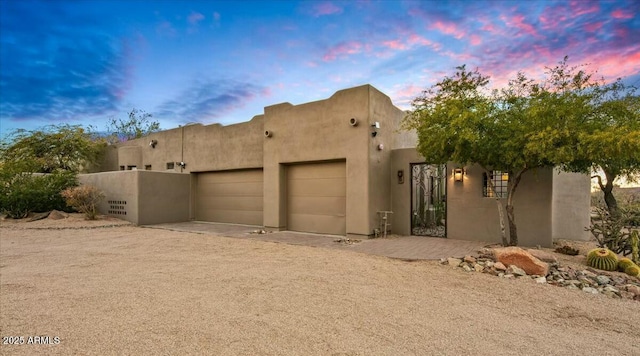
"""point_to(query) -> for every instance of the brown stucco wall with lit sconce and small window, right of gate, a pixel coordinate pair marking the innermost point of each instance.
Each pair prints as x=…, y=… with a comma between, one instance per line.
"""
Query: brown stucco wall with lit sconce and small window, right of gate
x=470, y=216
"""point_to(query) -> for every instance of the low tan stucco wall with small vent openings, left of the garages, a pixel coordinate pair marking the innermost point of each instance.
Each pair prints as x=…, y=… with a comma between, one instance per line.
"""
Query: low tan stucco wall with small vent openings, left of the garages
x=151, y=197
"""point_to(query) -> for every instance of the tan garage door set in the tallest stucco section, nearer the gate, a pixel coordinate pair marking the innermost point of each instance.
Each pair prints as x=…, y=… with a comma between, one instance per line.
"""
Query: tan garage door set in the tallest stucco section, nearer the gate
x=316, y=198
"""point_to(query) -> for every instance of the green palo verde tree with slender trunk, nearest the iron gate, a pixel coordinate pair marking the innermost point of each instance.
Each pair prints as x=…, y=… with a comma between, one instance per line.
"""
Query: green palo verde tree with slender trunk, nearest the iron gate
x=459, y=119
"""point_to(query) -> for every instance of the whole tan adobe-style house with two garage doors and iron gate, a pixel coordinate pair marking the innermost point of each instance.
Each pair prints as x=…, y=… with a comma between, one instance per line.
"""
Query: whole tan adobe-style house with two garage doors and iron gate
x=333, y=166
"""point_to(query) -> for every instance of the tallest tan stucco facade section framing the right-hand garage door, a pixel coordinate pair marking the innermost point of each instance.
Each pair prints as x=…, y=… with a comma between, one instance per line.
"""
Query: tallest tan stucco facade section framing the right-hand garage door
x=314, y=132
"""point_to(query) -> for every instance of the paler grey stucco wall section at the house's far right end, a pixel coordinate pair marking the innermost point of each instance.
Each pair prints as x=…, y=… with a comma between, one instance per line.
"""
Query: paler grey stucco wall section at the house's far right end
x=571, y=203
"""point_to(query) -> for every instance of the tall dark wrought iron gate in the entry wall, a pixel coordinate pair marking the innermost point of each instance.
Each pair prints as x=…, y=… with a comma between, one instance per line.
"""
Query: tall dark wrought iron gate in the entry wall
x=428, y=200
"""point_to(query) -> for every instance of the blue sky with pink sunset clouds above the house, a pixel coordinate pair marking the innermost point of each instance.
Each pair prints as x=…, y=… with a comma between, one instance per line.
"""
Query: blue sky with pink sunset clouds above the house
x=83, y=62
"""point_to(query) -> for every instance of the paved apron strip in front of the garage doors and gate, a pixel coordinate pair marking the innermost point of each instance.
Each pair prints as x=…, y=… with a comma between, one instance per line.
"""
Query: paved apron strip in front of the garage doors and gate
x=400, y=247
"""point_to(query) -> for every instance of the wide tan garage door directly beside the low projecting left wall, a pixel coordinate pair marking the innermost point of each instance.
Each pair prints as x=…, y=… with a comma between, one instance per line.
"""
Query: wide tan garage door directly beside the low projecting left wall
x=230, y=197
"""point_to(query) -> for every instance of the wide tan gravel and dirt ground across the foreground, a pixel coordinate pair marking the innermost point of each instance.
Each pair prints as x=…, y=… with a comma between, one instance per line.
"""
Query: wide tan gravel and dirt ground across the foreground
x=126, y=290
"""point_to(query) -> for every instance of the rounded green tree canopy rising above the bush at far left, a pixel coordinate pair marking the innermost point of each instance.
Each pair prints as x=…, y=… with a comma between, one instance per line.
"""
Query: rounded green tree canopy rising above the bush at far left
x=62, y=147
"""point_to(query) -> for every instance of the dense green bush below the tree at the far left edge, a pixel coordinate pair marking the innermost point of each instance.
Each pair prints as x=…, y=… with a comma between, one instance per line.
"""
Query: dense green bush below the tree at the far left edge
x=23, y=193
